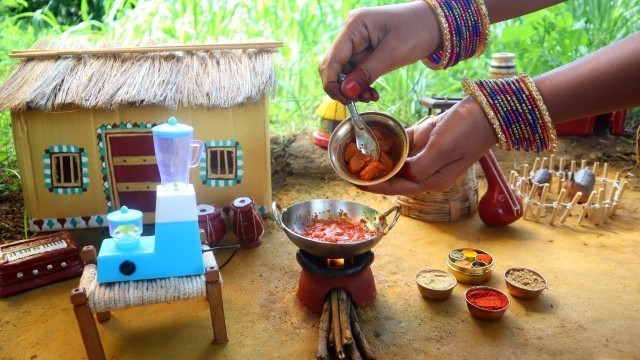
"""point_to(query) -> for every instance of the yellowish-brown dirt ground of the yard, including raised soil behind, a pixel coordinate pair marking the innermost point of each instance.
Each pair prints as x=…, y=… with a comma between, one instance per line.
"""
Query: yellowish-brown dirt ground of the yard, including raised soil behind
x=586, y=312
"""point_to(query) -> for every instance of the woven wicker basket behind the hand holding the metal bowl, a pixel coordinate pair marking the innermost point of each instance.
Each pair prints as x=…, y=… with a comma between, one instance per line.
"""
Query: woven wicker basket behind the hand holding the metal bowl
x=457, y=203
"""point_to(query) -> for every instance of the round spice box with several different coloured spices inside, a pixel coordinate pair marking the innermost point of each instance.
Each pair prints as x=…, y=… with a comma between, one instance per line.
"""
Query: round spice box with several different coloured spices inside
x=458, y=265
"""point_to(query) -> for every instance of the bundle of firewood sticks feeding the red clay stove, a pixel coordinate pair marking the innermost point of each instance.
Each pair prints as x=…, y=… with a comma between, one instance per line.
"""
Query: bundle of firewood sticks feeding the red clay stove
x=339, y=329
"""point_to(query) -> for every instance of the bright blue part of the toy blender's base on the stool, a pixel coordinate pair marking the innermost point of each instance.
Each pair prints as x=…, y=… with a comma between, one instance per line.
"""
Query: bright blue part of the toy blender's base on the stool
x=175, y=250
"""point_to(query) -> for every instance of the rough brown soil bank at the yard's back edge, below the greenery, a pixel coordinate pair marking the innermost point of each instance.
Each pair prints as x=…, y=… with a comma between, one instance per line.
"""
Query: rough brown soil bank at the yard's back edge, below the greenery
x=298, y=156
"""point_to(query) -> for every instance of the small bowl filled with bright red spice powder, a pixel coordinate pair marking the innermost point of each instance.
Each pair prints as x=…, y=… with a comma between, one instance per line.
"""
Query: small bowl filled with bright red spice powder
x=486, y=303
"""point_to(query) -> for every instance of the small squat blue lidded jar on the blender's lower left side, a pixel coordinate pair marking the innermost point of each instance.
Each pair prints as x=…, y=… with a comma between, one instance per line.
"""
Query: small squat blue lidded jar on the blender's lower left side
x=125, y=226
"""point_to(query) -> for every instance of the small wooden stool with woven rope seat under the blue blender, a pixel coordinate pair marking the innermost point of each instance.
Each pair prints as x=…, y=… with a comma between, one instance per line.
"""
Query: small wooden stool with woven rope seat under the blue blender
x=91, y=297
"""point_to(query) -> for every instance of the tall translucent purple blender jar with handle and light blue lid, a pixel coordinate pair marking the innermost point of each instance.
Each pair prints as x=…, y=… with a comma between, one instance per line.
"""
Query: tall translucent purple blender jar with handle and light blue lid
x=173, y=143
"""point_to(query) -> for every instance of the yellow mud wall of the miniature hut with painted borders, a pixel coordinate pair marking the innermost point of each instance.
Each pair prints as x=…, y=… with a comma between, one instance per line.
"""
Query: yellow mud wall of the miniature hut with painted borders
x=245, y=127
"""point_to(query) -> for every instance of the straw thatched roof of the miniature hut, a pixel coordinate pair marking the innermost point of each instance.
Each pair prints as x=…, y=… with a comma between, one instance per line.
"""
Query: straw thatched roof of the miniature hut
x=51, y=75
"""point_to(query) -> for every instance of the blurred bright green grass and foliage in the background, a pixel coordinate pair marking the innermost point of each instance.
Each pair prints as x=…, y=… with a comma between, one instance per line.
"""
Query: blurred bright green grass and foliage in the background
x=541, y=41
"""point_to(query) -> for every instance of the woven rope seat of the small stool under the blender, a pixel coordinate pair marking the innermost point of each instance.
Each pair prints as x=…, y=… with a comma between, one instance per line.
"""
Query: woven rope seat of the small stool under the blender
x=124, y=294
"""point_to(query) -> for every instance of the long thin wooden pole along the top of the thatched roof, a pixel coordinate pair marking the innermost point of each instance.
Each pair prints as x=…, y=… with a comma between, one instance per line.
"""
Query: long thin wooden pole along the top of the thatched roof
x=23, y=54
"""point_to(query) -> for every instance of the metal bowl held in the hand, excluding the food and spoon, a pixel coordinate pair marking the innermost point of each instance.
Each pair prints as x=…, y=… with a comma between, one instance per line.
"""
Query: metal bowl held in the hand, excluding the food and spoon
x=343, y=133
